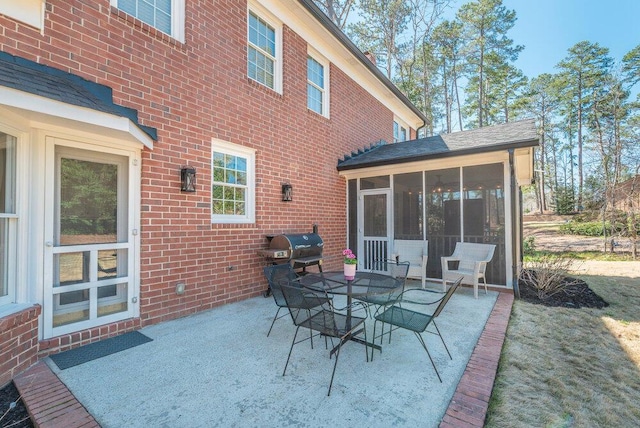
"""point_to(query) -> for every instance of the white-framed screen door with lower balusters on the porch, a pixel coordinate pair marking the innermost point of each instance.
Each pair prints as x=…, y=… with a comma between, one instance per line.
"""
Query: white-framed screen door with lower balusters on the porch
x=374, y=227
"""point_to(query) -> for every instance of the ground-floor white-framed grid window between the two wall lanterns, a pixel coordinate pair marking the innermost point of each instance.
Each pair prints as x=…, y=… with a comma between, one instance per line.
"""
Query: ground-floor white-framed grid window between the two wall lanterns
x=232, y=183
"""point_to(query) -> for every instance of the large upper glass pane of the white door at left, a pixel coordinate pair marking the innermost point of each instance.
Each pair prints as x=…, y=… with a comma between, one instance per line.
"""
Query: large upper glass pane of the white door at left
x=88, y=202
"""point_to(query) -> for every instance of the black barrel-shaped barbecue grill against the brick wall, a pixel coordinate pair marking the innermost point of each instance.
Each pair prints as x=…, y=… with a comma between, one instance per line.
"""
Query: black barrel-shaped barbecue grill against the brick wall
x=299, y=249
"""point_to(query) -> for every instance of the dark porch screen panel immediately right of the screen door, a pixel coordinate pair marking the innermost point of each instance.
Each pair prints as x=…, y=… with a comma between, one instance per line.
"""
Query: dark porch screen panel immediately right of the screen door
x=407, y=203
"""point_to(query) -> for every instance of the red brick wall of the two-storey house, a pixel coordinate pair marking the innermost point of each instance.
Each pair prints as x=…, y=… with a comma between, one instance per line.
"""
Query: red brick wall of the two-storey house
x=194, y=92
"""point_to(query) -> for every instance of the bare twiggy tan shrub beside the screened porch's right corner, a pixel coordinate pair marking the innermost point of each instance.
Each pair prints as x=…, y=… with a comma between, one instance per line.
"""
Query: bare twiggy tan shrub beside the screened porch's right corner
x=547, y=274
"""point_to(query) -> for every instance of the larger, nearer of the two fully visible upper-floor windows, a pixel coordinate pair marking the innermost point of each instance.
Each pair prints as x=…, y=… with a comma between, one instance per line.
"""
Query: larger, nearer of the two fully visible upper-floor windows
x=263, y=51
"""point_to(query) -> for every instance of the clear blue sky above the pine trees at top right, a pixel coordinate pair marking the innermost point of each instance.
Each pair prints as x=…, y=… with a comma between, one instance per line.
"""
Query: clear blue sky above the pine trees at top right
x=548, y=28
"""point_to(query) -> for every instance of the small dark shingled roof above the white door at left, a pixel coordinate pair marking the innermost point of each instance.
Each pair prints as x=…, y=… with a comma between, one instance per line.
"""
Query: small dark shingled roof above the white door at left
x=23, y=75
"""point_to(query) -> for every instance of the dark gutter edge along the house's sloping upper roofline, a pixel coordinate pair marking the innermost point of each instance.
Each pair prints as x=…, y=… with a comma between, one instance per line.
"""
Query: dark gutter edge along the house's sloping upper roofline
x=323, y=19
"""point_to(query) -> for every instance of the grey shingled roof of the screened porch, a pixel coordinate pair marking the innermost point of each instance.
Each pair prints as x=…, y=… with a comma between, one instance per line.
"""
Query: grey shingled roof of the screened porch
x=518, y=134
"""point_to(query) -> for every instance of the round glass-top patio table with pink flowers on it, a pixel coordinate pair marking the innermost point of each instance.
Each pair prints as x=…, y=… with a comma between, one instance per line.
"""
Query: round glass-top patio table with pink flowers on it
x=364, y=284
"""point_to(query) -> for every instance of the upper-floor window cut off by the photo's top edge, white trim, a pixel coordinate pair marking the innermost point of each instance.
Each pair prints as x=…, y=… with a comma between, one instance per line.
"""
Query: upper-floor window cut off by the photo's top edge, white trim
x=164, y=15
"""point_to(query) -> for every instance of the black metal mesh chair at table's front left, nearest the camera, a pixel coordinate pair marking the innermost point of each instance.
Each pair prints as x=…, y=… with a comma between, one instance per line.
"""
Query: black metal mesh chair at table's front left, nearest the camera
x=319, y=315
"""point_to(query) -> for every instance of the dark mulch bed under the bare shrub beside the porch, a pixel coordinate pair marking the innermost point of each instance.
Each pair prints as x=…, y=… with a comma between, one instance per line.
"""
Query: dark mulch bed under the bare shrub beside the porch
x=575, y=295
